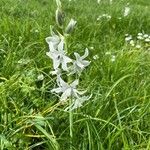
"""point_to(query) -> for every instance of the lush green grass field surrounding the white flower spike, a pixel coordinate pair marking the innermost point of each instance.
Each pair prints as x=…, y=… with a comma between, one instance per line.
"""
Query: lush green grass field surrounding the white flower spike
x=117, y=117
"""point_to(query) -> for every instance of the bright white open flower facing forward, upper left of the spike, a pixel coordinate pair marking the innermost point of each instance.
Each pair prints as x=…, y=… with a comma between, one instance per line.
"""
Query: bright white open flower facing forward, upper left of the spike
x=58, y=57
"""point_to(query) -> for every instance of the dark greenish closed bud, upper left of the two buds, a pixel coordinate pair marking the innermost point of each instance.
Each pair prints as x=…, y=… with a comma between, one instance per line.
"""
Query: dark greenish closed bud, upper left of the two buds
x=59, y=17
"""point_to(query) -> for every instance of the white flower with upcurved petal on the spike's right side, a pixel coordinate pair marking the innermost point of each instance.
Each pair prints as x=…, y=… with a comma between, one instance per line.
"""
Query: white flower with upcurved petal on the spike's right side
x=79, y=64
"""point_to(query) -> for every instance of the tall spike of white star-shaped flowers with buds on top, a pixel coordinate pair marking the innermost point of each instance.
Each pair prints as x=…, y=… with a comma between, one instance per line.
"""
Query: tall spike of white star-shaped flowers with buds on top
x=64, y=66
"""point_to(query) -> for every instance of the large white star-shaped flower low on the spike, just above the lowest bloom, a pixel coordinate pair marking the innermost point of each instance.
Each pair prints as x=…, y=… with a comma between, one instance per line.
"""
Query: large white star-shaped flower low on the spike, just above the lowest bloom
x=67, y=90
